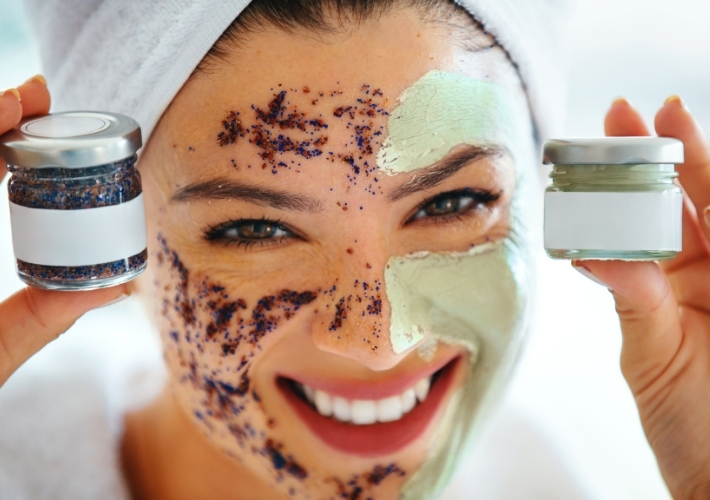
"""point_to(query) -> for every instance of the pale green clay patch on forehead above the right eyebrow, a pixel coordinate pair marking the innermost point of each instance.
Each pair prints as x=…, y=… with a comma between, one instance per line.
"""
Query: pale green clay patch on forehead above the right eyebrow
x=440, y=111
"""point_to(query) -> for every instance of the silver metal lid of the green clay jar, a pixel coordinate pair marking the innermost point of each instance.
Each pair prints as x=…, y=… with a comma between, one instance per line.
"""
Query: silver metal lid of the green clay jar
x=613, y=151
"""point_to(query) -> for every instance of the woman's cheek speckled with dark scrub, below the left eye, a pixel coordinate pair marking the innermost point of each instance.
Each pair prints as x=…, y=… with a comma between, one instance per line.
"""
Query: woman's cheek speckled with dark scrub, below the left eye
x=212, y=333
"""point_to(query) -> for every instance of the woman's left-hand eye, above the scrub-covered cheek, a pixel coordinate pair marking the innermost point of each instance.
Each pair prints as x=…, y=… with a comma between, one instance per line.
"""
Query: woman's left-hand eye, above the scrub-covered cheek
x=248, y=232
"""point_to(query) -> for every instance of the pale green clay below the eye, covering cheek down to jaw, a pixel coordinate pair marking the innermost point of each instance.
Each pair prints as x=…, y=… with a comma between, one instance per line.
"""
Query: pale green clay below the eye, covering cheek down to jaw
x=476, y=299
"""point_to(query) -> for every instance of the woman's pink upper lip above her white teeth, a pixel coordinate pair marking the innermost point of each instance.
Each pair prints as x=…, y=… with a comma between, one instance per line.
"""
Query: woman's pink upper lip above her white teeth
x=383, y=388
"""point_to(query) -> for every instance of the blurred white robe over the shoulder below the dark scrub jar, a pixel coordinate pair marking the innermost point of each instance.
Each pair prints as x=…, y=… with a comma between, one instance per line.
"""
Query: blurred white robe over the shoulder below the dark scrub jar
x=59, y=438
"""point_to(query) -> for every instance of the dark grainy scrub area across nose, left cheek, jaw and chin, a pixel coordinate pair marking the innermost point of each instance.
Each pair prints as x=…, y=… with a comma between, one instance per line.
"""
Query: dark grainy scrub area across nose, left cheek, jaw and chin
x=213, y=339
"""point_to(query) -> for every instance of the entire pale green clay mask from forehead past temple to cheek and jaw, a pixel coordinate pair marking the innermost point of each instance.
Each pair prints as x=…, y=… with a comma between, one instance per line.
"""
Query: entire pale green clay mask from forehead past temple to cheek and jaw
x=479, y=298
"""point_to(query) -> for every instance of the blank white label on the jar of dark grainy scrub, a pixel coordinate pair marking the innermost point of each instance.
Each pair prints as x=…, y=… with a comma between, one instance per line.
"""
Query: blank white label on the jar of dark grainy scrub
x=82, y=237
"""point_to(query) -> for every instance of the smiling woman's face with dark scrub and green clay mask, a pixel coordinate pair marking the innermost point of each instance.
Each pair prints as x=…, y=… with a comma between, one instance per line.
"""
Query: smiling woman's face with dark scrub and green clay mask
x=302, y=272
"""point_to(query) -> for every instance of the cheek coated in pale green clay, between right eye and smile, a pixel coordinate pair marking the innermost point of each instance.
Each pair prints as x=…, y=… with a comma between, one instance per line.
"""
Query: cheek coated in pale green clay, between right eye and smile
x=465, y=298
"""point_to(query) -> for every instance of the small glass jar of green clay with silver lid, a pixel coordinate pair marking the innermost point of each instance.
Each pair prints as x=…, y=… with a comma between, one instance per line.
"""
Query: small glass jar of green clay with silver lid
x=613, y=198
